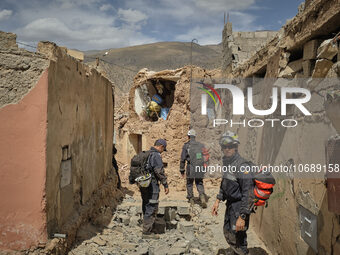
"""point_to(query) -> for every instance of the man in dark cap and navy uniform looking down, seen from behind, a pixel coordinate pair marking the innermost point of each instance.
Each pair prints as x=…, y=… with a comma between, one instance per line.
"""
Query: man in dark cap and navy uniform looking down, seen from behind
x=150, y=194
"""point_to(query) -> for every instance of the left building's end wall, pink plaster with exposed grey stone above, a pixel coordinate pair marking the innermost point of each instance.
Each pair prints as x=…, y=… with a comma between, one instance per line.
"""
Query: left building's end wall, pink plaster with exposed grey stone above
x=23, y=114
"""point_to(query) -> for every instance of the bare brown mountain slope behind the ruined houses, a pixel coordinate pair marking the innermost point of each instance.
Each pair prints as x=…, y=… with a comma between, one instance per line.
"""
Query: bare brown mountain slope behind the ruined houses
x=122, y=64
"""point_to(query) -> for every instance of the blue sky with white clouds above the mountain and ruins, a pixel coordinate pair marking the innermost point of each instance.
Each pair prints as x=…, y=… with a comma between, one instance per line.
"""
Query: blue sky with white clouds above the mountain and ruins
x=103, y=24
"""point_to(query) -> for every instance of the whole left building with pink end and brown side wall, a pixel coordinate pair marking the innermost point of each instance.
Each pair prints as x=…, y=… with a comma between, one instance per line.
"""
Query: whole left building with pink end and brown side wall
x=55, y=142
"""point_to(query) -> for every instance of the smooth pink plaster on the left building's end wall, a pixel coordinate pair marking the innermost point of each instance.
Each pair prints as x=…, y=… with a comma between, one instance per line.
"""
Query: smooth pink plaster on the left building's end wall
x=23, y=128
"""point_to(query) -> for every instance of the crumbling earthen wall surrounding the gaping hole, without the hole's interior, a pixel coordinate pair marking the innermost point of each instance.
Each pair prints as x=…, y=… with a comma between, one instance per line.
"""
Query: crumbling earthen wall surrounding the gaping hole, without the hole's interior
x=174, y=129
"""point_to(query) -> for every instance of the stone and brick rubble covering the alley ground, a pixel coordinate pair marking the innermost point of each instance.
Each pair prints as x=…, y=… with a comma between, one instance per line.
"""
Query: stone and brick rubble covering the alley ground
x=184, y=230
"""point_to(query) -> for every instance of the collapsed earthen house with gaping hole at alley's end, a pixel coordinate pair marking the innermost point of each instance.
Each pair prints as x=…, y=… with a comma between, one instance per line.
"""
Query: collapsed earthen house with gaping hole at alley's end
x=134, y=132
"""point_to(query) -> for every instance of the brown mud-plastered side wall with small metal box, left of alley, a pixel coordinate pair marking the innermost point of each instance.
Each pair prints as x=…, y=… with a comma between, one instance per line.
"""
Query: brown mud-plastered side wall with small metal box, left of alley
x=79, y=139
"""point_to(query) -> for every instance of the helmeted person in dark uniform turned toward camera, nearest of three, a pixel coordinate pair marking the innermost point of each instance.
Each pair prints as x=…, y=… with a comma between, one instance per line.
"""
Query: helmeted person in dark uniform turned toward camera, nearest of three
x=237, y=188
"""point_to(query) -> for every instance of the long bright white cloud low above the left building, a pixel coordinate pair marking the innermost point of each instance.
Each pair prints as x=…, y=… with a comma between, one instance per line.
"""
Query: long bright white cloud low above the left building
x=84, y=37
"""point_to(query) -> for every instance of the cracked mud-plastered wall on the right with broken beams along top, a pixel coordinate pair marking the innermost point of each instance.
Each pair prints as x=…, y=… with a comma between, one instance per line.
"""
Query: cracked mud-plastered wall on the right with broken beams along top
x=305, y=48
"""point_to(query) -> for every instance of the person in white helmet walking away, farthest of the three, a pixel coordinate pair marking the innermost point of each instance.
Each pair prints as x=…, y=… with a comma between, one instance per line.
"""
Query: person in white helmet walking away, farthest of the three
x=195, y=155
